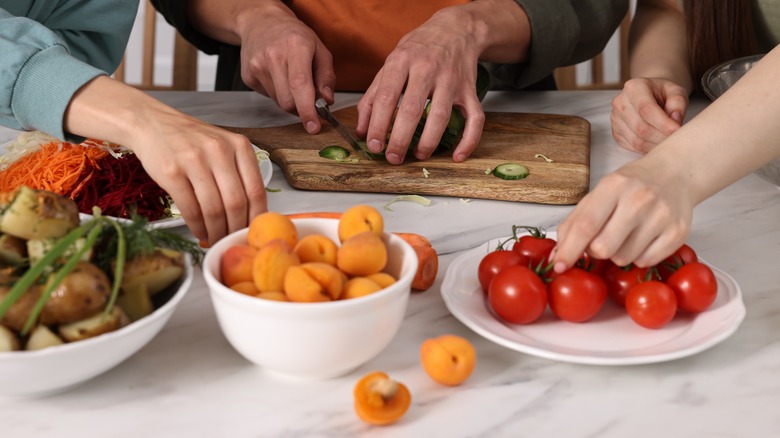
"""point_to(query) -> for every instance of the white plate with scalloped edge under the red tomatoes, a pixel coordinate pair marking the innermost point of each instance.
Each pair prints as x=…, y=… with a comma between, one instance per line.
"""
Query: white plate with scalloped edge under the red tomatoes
x=611, y=338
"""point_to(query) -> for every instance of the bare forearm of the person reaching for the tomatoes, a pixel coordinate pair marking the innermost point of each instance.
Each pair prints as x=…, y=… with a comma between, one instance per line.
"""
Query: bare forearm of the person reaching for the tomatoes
x=732, y=137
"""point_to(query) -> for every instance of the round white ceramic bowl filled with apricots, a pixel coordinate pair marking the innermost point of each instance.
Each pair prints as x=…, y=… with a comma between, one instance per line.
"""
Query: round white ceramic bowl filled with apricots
x=312, y=340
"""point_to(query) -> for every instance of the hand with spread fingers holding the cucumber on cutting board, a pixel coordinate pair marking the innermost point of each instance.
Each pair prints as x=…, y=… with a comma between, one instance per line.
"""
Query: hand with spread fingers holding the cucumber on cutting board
x=436, y=60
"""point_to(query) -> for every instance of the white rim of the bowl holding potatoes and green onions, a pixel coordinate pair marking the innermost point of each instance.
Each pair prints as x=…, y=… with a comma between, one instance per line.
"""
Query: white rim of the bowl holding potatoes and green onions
x=184, y=287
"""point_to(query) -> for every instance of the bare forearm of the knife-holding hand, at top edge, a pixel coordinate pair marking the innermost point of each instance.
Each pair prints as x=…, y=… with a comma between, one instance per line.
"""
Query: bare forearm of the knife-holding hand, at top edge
x=227, y=20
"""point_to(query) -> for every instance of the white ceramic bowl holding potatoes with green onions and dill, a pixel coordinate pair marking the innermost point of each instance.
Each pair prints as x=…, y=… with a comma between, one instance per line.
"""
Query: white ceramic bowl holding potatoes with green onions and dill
x=56, y=369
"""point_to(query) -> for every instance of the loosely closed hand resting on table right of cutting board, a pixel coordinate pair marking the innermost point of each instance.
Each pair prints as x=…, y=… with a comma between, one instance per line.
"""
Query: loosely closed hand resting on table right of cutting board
x=646, y=112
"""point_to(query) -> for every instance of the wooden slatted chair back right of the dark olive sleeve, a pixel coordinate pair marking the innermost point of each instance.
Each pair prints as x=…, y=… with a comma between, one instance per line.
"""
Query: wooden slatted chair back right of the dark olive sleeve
x=566, y=77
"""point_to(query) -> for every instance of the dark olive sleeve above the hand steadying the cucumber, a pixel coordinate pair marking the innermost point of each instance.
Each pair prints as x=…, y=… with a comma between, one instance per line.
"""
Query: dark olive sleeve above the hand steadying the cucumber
x=563, y=32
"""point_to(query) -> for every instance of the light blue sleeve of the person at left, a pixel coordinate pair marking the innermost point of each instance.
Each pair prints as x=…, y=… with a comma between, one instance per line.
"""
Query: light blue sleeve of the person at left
x=50, y=54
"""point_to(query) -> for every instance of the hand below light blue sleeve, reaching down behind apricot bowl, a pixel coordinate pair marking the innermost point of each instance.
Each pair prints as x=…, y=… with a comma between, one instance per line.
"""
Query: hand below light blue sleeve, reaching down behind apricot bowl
x=211, y=174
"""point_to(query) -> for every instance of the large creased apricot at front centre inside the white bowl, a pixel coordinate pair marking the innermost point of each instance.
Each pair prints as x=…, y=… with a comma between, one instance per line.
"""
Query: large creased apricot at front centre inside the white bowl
x=313, y=282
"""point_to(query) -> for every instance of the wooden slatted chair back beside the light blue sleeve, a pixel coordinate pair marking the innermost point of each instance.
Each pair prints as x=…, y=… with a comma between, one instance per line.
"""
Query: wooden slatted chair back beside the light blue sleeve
x=185, y=59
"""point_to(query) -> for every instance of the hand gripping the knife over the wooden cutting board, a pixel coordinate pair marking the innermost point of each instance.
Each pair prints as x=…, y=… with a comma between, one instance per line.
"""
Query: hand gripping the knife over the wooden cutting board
x=283, y=59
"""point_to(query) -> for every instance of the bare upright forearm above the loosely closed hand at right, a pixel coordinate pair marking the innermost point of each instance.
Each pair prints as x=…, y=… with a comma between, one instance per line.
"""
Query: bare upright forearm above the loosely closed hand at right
x=657, y=44
